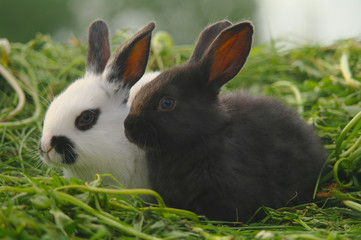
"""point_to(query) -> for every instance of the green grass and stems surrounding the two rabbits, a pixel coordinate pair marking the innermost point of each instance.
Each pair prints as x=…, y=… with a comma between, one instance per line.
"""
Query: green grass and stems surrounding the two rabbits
x=321, y=82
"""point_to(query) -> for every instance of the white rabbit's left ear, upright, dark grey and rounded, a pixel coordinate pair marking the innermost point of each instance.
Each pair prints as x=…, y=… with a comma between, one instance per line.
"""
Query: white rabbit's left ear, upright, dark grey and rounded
x=98, y=51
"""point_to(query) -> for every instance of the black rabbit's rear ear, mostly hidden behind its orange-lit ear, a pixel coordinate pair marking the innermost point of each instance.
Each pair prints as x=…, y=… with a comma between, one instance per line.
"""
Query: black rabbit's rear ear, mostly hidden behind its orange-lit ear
x=206, y=38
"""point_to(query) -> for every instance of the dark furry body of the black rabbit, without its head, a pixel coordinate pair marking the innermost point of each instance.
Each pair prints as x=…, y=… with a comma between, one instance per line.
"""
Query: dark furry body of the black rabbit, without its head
x=244, y=164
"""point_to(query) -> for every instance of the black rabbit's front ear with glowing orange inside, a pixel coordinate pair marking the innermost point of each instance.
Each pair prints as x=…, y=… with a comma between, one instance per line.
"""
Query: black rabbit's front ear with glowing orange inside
x=228, y=53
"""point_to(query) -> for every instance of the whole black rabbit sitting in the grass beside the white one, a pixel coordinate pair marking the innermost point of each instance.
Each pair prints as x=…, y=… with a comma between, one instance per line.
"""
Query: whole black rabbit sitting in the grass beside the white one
x=222, y=156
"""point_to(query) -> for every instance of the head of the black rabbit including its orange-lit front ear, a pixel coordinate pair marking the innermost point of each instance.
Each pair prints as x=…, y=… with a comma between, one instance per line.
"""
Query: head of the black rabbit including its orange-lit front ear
x=180, y=106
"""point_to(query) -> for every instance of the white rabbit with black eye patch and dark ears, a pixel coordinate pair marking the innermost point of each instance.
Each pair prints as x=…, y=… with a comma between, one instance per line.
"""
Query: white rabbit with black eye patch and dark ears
x=83, y=129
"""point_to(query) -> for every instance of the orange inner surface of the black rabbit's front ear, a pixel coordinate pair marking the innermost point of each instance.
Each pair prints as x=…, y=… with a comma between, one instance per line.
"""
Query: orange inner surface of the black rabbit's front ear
x=230, y=55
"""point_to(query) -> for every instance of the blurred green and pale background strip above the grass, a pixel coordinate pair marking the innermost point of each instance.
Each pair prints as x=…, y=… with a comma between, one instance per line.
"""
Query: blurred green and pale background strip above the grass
x=300, y=21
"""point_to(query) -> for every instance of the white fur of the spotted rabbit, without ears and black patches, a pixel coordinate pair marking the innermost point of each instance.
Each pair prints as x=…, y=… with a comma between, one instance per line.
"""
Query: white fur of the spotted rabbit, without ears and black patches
x=103, y=148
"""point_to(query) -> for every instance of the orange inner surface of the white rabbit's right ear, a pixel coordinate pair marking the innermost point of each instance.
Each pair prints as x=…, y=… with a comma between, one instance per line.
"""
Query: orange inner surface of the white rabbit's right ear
x=135, y=61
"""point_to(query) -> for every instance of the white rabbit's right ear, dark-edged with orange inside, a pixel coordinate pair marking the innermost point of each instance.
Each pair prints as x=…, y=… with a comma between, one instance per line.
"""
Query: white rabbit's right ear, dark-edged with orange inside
x=127, y=65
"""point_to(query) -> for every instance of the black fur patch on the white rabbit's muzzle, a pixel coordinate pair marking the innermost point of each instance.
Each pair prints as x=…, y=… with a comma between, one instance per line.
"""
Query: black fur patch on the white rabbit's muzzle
x=65, y=147
